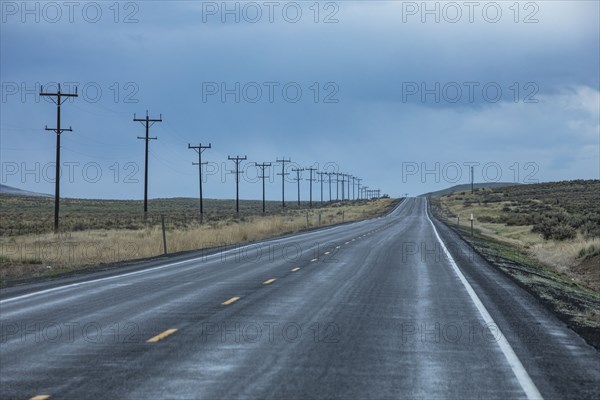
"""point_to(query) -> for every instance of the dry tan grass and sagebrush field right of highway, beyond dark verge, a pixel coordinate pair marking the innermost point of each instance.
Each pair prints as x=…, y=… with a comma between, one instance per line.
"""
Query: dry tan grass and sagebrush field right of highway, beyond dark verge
x=557, y=224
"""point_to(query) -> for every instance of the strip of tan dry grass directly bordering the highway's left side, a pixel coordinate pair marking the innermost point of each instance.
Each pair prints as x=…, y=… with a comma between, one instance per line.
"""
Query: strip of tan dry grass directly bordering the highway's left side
x=47, y=254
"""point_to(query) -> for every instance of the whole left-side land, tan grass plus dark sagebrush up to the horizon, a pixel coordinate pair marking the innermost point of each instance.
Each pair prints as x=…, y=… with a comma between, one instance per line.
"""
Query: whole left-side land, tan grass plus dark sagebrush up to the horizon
x=97, y=232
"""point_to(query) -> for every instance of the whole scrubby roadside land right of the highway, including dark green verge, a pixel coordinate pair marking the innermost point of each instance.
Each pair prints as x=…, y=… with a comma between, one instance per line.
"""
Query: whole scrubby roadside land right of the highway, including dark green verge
x=545, y=236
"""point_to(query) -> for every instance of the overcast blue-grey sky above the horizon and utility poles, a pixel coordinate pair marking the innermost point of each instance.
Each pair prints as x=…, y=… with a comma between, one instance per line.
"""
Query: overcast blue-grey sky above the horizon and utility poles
x=405, y=95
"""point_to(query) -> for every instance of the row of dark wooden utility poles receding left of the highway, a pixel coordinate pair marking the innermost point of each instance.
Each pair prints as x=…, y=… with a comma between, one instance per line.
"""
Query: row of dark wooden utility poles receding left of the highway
x=363, y=192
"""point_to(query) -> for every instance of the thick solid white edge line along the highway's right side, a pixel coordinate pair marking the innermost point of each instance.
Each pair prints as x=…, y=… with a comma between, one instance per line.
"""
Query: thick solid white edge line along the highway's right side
x=531, y=391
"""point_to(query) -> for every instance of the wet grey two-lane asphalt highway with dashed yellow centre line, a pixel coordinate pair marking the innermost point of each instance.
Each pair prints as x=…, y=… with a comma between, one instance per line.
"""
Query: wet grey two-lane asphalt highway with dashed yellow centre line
x=393, y=307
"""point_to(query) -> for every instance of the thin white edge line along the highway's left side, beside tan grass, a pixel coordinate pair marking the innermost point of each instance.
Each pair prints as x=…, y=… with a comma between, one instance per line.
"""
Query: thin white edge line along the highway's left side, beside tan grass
x=146, y=270
